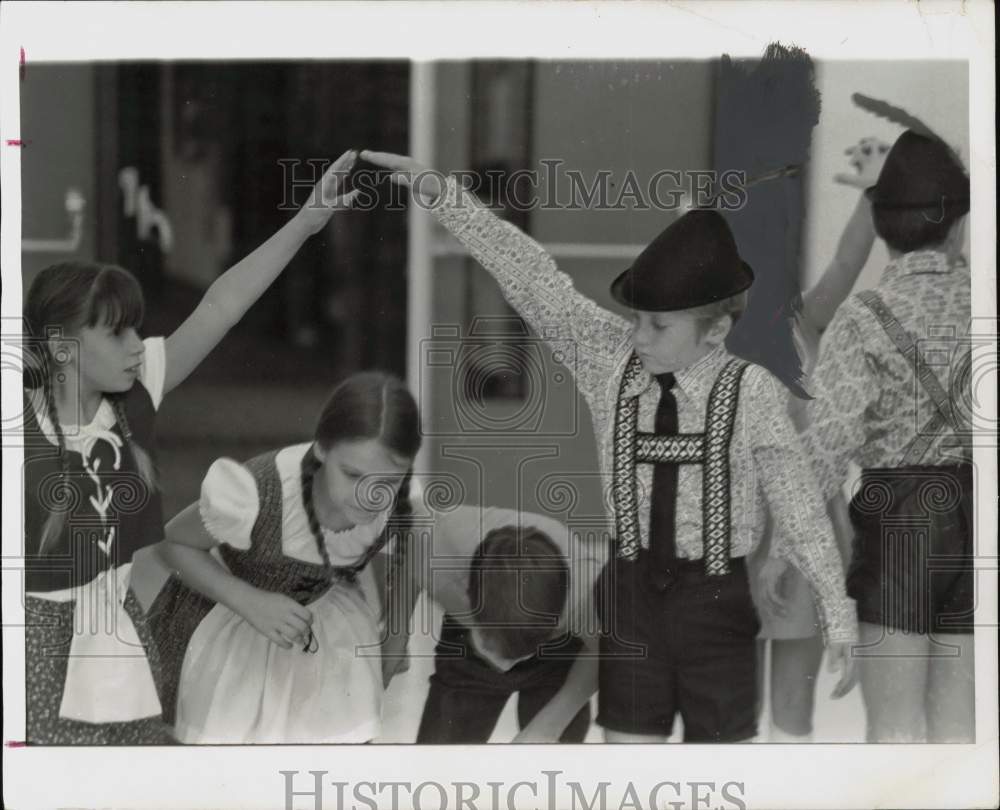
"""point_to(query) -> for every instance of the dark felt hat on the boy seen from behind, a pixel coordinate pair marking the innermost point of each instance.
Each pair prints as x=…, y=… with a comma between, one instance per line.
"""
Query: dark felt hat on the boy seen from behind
x=920, y=172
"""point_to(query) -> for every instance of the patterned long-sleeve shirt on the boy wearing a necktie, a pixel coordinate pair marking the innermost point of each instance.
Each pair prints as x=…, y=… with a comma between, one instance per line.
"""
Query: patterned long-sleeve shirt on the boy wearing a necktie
x=769, y=470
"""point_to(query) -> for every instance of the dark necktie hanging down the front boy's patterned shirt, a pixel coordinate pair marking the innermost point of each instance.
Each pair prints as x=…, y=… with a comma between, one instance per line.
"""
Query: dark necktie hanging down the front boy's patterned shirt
x=663, y=548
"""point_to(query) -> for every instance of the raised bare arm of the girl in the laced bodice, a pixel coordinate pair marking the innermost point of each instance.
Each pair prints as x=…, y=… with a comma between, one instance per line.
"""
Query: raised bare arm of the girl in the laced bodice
x=233, y=293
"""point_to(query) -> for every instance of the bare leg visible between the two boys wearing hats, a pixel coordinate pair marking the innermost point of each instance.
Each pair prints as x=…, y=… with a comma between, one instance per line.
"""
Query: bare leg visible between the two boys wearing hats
x=794, y=665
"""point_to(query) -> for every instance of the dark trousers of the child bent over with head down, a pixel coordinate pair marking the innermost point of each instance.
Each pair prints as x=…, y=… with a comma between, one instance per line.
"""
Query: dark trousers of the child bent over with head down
x=467, y=695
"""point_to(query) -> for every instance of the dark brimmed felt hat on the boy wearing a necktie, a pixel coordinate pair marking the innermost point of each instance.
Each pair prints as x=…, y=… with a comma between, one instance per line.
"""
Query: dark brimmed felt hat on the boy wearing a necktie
x=693, y=262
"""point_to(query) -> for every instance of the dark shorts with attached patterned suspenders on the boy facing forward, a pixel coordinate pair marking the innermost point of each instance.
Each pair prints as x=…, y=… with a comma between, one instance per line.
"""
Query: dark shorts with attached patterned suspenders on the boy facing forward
x=685, y=645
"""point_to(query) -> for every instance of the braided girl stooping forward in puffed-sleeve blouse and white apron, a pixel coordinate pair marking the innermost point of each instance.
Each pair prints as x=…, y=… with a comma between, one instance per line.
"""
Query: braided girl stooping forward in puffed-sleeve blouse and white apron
x=269, y=631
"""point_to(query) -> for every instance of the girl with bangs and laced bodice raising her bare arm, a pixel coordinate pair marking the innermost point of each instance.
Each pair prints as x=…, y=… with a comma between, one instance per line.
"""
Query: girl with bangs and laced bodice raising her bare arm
x=91, y=499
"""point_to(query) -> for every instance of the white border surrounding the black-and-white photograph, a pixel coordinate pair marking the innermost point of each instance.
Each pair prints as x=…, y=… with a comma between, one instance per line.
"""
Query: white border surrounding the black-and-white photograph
x=843, y=776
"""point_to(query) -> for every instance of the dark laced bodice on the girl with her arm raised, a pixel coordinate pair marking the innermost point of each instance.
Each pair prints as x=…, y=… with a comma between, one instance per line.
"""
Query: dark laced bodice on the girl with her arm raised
x=135, y=510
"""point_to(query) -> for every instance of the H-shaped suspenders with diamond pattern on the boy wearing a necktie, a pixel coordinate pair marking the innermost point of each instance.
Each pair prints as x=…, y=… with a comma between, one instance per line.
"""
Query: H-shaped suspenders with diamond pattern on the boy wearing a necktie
x=710, y=449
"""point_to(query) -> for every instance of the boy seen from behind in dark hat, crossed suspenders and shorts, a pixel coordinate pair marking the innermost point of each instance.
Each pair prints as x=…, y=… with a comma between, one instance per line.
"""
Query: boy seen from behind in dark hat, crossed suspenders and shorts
x=892, y=396
